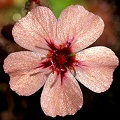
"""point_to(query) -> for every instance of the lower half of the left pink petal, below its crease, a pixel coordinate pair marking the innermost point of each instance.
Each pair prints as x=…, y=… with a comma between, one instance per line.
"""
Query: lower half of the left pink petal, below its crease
x=26, y=82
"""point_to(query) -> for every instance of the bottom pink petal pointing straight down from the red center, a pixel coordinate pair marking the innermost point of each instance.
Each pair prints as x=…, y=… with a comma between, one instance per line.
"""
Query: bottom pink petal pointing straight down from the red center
x=61, y=99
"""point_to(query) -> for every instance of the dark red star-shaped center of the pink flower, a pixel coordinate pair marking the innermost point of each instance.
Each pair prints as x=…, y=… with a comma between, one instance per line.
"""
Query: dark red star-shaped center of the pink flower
x=59, y=59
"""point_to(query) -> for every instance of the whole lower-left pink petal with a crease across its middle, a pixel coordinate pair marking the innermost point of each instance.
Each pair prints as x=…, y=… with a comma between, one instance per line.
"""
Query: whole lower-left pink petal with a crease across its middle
x=25, y=78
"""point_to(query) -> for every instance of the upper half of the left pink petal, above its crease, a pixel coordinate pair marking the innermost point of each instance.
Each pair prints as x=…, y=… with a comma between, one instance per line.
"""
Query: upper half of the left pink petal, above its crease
x=24, y=60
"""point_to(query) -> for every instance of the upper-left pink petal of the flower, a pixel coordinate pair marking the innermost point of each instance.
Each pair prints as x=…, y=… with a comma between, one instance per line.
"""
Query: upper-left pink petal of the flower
x=32, y=31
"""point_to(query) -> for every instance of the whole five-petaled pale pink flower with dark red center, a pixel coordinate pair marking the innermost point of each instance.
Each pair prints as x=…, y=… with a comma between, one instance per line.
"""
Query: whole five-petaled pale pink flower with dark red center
x=58, y=58
